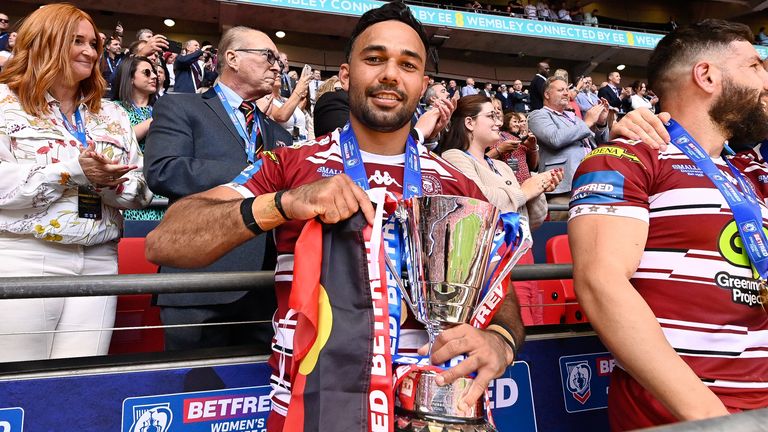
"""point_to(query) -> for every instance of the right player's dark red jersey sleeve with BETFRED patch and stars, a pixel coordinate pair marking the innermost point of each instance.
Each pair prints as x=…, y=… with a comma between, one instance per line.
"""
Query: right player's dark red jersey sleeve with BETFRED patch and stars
x=613, y=180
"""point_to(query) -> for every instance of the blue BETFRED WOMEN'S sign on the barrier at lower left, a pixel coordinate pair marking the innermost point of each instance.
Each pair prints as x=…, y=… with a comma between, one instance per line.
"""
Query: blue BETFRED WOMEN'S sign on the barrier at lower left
x=229, y=410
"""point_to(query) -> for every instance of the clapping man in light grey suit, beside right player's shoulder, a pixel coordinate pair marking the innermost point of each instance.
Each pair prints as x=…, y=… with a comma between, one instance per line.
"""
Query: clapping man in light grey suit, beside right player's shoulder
x=564, y=138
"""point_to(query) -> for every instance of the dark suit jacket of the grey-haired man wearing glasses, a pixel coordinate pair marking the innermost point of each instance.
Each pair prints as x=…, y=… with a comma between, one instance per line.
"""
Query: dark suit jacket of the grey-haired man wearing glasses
x=192, y=146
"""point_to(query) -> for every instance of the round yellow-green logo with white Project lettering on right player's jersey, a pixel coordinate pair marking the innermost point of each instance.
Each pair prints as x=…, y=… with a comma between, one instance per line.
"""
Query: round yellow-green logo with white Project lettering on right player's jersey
x=744, y=290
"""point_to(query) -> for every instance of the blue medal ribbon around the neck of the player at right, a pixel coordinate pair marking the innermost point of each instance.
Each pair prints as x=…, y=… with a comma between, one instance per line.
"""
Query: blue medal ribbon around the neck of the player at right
x=744, y=204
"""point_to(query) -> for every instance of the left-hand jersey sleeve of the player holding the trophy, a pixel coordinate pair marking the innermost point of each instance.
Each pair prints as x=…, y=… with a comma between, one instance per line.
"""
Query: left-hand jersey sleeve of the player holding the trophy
x=266, y=175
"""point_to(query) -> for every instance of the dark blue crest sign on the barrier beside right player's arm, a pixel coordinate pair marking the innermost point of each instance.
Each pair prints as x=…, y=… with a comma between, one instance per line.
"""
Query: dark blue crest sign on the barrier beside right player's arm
x=585, y=380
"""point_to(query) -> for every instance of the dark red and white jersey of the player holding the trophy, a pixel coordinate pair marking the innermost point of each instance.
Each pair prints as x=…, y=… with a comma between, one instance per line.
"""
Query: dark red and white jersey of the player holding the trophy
x=291, y=167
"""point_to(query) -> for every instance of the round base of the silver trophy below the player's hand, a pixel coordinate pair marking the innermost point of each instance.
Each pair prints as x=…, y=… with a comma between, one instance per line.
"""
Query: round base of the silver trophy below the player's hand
x=423, y=405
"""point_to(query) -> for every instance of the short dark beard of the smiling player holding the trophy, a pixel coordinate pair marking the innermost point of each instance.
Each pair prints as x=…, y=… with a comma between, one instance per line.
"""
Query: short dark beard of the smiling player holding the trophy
x=373, y=117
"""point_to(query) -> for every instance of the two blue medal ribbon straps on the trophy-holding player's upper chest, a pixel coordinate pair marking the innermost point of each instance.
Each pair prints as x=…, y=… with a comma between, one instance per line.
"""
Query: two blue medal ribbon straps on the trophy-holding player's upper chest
x=354, y=167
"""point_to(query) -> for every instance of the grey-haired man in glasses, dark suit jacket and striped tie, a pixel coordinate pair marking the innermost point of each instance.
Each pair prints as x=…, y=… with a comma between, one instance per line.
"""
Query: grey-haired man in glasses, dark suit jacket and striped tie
x=192, y=146
